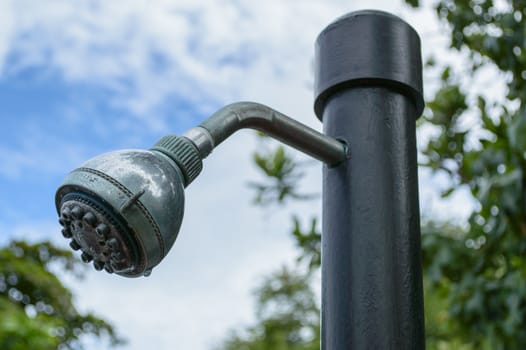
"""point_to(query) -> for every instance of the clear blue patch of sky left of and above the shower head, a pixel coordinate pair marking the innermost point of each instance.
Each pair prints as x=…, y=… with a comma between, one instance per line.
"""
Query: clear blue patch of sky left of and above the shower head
x=50, y=126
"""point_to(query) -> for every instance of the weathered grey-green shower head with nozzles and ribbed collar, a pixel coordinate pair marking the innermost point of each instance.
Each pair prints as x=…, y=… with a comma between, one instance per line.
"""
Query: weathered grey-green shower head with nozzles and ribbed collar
x=123, y=209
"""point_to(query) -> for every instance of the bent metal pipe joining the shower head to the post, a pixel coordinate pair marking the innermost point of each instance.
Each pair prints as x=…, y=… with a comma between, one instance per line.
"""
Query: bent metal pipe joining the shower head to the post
x=240, y=115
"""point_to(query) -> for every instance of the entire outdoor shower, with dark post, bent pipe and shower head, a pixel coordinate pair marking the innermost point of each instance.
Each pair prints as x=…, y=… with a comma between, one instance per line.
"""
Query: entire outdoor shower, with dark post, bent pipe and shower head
x=123, y=209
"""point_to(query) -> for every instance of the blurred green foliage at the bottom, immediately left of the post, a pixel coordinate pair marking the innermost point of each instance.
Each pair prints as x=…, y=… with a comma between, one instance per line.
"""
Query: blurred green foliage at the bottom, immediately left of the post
x=287, y=316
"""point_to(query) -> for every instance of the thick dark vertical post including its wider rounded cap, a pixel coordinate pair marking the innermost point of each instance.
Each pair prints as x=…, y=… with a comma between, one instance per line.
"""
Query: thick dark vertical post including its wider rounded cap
x=369, y=93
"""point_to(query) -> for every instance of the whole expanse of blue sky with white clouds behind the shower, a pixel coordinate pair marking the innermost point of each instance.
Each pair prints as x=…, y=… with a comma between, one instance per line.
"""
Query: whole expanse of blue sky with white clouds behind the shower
x=81, y=78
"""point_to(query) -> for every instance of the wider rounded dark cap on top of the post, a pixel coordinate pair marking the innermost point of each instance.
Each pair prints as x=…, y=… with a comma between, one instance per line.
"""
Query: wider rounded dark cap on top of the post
x=368, y=48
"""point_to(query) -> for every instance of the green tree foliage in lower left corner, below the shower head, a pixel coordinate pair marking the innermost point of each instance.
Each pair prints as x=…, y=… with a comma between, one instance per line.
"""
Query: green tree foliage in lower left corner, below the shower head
x=36, y=309
